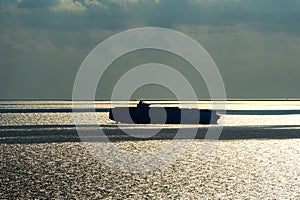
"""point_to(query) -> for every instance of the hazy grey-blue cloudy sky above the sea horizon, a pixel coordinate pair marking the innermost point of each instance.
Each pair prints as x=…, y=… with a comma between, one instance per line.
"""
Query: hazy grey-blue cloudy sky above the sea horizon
x=254, y=43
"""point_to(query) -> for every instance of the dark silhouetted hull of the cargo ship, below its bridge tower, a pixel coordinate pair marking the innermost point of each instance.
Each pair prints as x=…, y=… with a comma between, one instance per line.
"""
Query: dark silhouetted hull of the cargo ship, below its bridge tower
x=162, y=115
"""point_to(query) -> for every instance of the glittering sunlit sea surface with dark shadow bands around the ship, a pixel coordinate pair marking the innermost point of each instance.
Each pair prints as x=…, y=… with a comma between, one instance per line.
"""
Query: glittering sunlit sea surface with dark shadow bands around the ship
x=256, y=156
